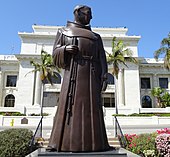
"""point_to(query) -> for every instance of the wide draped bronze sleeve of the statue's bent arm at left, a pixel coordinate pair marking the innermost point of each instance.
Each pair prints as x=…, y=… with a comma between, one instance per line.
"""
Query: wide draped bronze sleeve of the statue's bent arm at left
x=59, y=56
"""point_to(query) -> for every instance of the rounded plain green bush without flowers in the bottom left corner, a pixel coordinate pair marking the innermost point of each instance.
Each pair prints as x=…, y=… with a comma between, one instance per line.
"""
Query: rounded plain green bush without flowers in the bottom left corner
x=15, y=142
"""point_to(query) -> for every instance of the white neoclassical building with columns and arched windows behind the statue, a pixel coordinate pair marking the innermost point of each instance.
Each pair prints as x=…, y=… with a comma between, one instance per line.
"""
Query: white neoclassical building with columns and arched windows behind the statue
x=21, y=89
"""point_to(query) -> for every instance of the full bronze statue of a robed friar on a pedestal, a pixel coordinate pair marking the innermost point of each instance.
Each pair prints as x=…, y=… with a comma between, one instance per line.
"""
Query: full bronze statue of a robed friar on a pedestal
x=79, y=123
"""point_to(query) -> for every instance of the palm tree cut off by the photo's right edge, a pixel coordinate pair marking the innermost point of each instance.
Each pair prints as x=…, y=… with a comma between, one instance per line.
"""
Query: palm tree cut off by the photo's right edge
x=164, y=49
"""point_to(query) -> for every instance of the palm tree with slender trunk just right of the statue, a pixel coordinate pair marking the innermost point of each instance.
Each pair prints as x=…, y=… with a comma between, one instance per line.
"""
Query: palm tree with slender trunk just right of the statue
x=118, y=57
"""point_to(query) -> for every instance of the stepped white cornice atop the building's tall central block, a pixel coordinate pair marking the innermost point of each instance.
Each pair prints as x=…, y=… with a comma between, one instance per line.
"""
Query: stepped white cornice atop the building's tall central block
x=49, y=32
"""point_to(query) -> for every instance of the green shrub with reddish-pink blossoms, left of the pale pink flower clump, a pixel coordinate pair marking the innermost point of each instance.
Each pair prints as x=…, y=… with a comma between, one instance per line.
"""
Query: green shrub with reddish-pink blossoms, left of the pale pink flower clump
x=139, y=144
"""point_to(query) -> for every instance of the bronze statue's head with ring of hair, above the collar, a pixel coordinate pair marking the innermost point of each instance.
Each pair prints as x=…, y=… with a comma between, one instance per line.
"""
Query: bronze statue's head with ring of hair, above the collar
x=82, y=14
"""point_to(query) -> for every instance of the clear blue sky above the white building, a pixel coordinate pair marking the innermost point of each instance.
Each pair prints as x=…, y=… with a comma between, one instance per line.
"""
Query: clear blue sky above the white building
x=148, y=18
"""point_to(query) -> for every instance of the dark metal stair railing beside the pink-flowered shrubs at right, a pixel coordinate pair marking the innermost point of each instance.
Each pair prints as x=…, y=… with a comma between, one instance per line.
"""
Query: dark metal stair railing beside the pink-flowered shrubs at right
x=119, y=133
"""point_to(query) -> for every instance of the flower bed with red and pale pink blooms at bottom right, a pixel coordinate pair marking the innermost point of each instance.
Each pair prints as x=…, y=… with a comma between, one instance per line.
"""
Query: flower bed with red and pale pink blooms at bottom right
x=150, y=145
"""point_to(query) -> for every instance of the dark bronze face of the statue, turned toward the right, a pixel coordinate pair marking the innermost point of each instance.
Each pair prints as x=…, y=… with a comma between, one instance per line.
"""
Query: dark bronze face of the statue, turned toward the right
x=84, y=16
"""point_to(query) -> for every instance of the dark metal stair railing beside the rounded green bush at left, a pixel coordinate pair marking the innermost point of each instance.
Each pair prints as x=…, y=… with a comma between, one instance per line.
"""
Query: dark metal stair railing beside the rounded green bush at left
x=39, y=126
